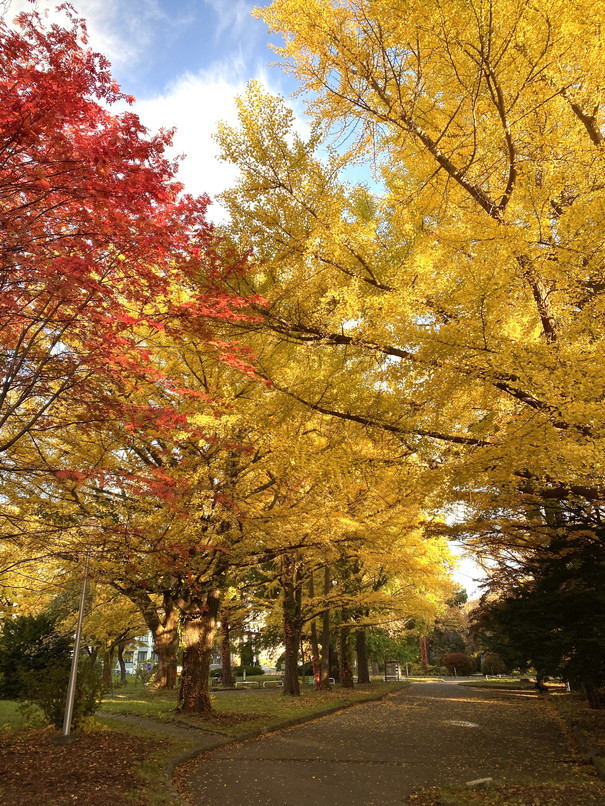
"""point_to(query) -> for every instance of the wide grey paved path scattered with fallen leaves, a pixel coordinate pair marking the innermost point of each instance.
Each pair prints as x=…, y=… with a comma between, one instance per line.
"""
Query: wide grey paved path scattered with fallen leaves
x=378, y=753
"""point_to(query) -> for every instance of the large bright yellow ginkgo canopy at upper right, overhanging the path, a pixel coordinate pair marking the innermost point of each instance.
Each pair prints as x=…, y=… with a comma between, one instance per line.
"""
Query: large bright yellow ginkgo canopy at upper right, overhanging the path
x=454, y=299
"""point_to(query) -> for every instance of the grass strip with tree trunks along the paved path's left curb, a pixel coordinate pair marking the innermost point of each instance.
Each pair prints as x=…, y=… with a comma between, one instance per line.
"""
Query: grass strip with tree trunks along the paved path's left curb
x=237, y=713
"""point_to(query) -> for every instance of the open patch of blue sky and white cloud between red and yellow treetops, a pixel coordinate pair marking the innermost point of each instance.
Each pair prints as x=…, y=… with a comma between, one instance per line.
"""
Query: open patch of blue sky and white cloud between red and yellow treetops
x=184, y=61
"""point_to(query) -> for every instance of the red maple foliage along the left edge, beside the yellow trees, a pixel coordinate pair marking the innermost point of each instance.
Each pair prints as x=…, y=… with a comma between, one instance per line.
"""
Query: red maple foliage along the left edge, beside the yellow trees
x=96, y=234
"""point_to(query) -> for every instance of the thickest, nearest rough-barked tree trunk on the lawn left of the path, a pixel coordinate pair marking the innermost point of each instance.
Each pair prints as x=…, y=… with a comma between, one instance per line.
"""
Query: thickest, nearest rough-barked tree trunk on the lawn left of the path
x=198, y=620
